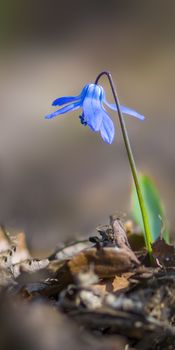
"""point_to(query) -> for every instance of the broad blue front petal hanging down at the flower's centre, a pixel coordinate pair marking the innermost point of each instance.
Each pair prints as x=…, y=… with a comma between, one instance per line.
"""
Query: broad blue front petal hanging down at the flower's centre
x=92, y=108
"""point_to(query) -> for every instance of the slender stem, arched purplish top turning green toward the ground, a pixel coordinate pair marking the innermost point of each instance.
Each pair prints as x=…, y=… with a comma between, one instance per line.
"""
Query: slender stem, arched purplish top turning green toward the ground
x=148, y=237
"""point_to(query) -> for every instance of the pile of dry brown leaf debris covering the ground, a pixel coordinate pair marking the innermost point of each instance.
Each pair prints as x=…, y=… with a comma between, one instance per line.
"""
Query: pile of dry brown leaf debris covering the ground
x=99, y=288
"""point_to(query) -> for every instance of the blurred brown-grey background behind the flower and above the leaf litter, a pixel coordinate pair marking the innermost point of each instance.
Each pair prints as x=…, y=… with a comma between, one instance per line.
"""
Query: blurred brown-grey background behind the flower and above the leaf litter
x=57, y=178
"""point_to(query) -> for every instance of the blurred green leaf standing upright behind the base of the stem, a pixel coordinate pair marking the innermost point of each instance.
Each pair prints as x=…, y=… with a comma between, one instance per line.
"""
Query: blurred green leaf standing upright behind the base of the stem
x=154, y=208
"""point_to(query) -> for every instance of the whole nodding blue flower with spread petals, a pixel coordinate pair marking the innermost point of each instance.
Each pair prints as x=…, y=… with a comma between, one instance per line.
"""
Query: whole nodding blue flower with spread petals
x=92, y=100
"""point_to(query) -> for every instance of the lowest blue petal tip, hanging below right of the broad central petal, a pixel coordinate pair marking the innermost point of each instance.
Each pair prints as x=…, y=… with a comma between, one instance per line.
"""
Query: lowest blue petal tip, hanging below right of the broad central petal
x=107, y=129
